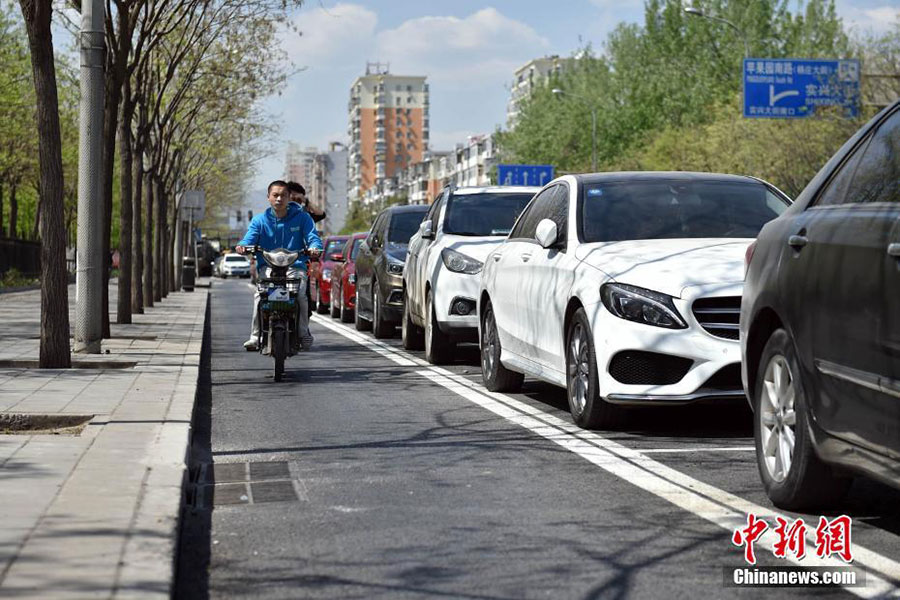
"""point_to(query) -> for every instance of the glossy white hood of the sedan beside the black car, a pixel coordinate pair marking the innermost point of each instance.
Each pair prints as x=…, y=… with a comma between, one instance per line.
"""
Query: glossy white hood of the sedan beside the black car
x=669, y=266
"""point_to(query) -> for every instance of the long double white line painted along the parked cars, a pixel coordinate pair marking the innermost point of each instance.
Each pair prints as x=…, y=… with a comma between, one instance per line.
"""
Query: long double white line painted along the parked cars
x=701, y=499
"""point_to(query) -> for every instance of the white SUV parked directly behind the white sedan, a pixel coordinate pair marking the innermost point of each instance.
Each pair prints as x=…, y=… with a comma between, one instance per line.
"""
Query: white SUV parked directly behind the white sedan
x=443, y=267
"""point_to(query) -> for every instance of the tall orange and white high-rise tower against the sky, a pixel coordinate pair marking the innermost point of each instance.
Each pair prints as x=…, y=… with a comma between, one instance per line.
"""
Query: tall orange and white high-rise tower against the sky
x=388, y=127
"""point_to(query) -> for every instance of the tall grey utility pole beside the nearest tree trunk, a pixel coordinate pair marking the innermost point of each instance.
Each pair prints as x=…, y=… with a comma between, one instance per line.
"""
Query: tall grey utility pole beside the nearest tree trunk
x=89, y=292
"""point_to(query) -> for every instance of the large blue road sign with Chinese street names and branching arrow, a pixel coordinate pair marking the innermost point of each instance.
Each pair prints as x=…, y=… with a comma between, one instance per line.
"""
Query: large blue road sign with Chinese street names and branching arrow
x=791, y=88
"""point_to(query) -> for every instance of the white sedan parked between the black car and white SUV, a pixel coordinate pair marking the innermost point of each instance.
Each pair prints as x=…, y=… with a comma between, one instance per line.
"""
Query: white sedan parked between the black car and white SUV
x=624, y=288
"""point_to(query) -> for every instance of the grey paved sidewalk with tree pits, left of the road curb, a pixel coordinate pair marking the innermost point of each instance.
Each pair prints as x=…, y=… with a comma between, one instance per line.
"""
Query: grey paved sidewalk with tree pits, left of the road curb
x=96, y=514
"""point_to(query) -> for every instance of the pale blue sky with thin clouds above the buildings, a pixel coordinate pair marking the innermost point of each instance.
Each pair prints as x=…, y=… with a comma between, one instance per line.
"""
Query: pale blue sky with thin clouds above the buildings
x=467, y=49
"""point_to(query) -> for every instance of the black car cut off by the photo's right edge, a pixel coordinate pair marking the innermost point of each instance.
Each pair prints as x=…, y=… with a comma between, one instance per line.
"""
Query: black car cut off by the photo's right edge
x=820, y=326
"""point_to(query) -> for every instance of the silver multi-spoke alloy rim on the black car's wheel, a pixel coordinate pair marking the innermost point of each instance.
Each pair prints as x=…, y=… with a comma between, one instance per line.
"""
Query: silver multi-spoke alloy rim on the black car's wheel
x=777, y=418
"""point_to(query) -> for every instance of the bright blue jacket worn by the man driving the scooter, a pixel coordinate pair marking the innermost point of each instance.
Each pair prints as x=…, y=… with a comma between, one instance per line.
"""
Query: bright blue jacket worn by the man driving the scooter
x=295, y=231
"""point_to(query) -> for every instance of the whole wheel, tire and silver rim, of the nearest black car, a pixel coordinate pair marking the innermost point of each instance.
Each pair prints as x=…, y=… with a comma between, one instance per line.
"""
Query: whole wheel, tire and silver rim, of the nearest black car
x=781, y=416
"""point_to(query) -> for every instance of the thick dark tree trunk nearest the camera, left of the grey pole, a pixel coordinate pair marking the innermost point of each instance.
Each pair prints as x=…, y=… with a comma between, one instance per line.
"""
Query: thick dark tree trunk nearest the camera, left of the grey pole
x=54, y=351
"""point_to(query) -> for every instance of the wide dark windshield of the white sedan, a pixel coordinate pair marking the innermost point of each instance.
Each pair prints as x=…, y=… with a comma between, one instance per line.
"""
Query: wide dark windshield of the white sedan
x=643, y=210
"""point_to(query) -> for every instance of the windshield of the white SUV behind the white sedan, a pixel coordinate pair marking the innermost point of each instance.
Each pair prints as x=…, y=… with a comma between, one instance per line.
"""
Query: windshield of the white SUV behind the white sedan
x=483, y=214
